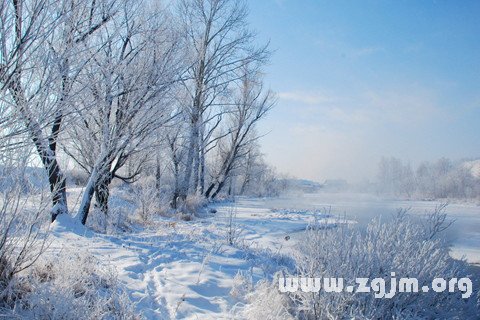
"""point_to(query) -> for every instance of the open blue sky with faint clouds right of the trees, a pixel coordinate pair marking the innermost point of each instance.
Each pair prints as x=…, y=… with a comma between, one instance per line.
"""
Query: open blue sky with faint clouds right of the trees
x=357, y=80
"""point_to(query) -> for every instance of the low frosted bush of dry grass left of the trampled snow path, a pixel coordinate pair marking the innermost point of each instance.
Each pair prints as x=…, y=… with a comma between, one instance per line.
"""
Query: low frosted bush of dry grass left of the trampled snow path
x=72, y=285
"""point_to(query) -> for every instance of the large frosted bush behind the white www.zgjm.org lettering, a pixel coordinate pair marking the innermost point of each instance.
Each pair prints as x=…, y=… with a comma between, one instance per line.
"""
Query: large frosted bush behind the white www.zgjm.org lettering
x=403, y=246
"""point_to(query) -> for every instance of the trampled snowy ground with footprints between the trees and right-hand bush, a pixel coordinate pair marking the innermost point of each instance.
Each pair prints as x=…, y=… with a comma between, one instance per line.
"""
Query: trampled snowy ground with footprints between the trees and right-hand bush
x=186, y=270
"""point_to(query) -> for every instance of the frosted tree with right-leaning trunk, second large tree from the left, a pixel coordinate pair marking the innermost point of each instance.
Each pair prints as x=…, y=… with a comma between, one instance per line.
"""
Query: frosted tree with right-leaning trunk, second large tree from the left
x=125, y=99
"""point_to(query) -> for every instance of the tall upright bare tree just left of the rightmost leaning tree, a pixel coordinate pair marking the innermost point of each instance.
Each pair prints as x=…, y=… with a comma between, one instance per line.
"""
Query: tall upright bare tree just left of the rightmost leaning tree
x=219, y=46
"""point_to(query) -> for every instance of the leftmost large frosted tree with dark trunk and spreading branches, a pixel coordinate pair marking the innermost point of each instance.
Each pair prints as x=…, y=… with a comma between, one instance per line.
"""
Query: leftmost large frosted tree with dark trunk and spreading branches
x=40, y=45
